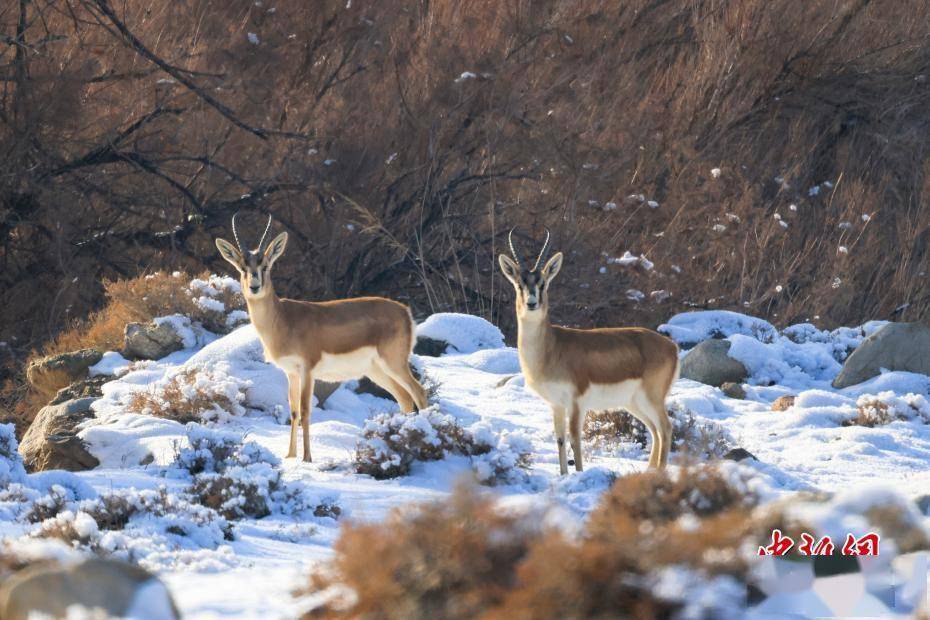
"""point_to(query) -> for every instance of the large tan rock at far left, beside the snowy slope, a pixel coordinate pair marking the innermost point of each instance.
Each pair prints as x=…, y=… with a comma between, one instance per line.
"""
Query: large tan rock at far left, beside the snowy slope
x=52, y=442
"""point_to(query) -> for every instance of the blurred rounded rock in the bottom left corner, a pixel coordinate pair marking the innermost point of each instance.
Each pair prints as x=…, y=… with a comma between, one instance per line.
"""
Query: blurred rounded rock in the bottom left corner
x=120, y=590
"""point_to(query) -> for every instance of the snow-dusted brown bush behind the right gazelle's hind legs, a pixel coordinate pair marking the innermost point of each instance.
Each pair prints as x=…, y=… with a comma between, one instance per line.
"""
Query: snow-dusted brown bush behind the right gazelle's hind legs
x=690, y=435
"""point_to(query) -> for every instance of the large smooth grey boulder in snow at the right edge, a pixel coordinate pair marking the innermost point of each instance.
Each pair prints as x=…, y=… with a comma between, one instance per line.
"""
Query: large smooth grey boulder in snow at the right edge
x=896, y=346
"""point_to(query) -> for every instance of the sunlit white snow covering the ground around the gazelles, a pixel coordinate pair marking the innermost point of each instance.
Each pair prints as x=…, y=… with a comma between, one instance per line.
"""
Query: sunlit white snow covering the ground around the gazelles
x=254, y=574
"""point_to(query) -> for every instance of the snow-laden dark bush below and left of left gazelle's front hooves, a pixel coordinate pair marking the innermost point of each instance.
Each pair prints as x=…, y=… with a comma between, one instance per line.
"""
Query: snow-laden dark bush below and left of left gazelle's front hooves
x=240, y=478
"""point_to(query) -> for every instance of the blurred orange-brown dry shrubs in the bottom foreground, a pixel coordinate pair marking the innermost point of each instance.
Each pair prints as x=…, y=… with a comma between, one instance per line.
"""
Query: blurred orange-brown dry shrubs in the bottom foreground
x=462, y=558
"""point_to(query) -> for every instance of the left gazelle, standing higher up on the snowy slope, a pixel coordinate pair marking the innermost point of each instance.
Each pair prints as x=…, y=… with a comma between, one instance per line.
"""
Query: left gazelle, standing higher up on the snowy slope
x=329, y=340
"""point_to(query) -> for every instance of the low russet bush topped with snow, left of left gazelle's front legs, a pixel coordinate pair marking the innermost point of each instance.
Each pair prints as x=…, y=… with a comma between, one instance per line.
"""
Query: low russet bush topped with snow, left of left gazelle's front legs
x=191, y=395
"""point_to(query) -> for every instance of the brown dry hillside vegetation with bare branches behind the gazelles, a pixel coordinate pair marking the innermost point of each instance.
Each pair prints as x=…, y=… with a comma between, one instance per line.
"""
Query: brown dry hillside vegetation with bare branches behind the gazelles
x=398, y=141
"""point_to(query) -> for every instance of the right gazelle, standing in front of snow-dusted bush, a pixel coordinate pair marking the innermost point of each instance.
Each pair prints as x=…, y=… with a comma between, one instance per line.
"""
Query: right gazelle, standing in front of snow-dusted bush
x=581, y=370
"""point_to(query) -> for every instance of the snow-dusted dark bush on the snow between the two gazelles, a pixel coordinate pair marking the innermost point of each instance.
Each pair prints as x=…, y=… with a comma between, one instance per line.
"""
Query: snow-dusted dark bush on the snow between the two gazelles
x=393, y=442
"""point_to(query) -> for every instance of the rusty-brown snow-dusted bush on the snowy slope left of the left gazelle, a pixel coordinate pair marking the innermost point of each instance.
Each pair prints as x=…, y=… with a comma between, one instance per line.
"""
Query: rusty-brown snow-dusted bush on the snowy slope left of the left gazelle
x=189, y=396
